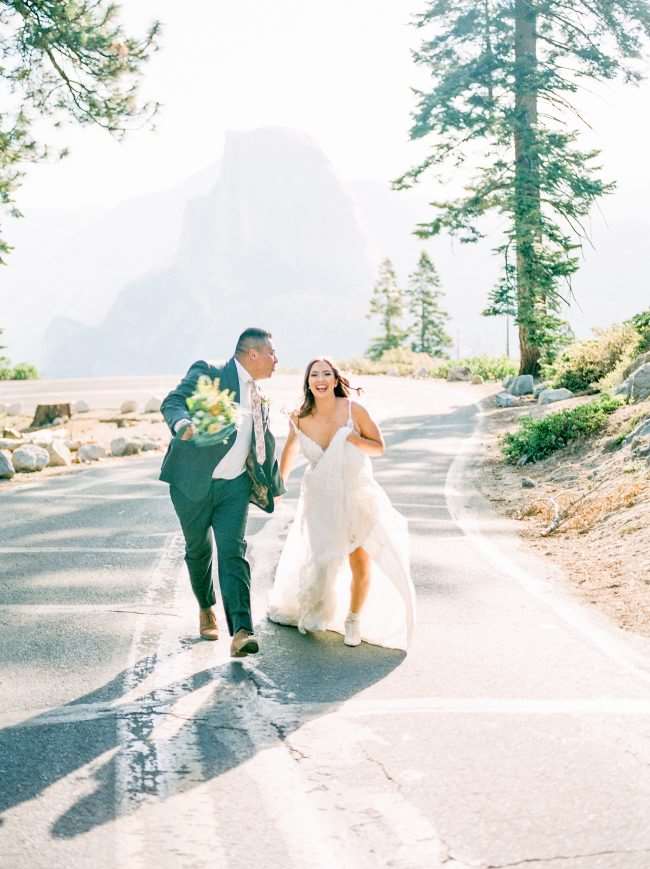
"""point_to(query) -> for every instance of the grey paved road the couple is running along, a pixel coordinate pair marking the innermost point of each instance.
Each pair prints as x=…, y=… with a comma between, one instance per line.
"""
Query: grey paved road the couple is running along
x=515, y=733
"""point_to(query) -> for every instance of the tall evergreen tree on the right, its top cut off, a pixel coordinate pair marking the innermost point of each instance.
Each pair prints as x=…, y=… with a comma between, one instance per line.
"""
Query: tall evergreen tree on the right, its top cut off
x=503, y=73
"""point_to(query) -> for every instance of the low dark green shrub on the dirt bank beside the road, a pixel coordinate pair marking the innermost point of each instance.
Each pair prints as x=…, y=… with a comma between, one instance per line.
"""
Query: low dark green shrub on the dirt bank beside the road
x=538, y=438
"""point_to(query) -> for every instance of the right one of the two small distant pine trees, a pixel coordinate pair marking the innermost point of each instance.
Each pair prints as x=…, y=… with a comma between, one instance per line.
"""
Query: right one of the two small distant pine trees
x=428, y=318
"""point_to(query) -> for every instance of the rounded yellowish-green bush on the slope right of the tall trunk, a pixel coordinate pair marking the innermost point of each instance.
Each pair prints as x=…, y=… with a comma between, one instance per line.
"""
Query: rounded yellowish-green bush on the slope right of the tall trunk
x=584, y=364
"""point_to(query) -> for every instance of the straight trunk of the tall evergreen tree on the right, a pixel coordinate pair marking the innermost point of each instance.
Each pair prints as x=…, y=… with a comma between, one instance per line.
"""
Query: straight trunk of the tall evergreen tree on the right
x=527, y=212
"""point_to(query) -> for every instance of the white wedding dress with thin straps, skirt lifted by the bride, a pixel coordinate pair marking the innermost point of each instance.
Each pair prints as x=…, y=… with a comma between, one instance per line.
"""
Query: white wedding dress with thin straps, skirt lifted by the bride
x=342, y=507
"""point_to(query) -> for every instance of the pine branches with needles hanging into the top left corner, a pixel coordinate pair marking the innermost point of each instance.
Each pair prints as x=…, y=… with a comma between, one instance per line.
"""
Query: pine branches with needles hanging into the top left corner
x=67, y=61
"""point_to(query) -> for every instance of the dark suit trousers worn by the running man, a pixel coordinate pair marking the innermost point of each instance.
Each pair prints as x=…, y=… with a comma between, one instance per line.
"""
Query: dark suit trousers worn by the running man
x=223, y=513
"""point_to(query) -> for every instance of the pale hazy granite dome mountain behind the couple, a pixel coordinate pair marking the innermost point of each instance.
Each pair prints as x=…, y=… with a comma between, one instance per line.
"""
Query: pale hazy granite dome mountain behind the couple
x=275, y=242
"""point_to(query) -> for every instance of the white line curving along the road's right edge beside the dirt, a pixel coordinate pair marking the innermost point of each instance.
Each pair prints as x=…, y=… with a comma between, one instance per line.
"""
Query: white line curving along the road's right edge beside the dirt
x=458, y=489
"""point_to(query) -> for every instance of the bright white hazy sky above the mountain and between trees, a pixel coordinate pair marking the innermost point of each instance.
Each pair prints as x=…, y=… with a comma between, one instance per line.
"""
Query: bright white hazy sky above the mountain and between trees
x=339, y=71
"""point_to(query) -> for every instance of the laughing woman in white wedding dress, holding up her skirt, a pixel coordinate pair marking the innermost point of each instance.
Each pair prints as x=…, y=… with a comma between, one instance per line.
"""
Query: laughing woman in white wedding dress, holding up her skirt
x=345, y=563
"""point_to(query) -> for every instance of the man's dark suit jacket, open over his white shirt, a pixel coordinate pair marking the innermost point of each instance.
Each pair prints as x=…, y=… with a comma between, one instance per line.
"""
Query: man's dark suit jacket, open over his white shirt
x=190, y=467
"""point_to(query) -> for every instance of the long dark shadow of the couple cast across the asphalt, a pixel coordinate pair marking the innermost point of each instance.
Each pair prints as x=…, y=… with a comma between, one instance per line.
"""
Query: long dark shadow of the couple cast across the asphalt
x=269, y=690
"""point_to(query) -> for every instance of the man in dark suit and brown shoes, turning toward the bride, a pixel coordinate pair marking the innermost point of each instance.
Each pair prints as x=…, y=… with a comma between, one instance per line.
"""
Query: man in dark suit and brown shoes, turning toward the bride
x=211, y=486
